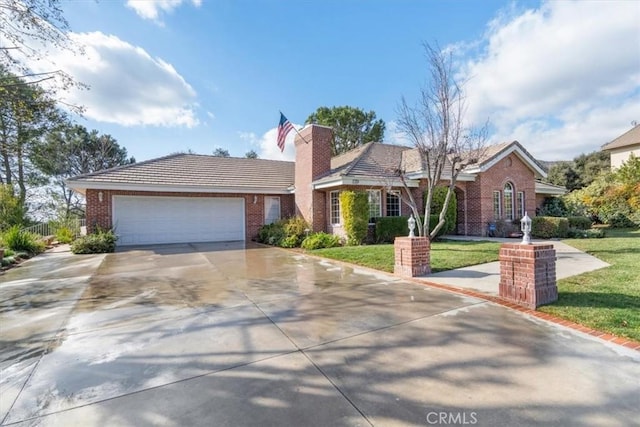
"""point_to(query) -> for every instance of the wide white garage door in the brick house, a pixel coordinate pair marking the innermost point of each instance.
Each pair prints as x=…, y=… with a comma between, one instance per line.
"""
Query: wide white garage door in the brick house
x=142, y=220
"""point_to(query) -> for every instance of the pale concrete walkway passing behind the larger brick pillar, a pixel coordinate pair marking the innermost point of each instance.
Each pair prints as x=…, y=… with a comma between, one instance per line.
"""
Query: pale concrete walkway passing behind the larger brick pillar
x=485, y=278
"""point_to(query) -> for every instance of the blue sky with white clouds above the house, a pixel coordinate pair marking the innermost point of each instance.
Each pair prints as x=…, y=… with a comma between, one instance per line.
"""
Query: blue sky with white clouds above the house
x=560, y=77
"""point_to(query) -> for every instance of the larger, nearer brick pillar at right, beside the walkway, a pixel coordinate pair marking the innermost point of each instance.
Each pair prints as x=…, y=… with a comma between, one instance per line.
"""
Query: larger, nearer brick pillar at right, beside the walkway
x=528, y=274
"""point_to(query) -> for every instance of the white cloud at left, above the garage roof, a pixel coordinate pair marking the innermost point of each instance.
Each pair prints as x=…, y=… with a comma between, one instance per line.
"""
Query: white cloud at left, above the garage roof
x=127, y=85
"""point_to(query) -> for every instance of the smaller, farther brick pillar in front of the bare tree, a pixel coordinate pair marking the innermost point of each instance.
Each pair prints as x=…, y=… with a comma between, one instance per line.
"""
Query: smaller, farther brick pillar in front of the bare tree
x=411, y=256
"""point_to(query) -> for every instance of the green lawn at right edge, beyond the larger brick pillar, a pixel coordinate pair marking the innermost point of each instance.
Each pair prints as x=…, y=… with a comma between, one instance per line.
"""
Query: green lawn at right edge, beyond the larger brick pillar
x=607, y=299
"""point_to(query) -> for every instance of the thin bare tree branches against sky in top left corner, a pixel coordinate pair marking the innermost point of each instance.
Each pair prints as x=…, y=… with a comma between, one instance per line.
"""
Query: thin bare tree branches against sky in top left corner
x=27, y=24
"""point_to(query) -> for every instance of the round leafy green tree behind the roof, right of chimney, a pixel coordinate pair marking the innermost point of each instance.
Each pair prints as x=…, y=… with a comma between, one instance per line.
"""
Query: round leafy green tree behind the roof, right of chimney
x=352, y=127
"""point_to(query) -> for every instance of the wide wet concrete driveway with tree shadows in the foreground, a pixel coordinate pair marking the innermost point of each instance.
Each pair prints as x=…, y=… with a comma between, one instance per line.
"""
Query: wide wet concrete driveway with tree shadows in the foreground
x=223, y=335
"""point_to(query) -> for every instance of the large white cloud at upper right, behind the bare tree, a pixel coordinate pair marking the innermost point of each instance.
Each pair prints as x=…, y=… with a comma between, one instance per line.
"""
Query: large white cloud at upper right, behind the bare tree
x=562, y=79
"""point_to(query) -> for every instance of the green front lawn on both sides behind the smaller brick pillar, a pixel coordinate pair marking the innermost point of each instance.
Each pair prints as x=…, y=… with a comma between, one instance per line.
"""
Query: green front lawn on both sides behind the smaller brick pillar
x=445, y=255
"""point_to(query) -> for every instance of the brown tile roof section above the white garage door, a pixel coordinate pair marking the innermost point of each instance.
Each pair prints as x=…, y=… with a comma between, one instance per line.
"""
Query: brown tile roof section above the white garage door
x=194, y=173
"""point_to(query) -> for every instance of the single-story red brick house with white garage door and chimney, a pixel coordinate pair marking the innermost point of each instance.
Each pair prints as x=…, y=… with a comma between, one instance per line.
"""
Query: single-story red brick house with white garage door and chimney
x=191, y=198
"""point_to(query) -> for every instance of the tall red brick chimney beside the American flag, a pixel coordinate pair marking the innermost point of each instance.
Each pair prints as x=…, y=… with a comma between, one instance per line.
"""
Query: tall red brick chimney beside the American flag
x=313, y=160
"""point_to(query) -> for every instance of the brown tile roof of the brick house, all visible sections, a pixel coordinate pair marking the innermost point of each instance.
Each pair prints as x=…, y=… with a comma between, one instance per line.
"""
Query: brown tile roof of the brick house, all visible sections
x=374, y=160
